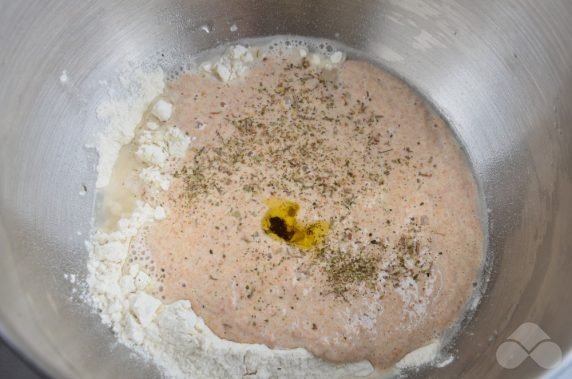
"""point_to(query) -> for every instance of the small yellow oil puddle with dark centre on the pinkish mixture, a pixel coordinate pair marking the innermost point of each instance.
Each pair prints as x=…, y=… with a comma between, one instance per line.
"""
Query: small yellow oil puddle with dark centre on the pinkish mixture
x=280, y=223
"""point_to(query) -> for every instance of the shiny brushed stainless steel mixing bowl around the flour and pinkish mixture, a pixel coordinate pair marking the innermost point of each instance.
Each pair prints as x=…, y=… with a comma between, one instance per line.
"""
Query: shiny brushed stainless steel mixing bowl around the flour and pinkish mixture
x=500, y=71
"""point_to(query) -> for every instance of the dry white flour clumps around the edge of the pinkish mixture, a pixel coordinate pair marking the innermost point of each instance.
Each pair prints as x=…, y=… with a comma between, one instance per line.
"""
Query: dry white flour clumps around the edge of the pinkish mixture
x=171, y=335
